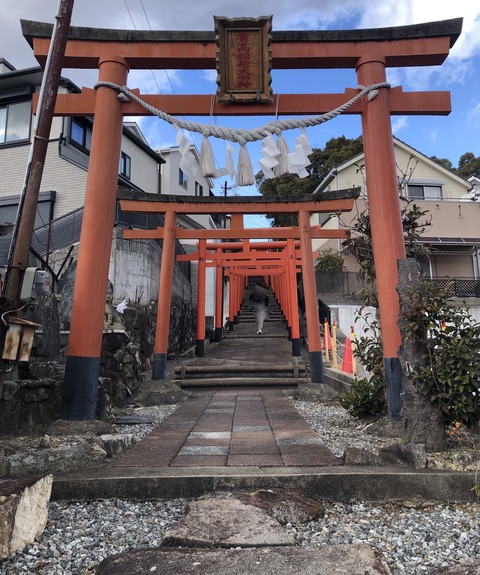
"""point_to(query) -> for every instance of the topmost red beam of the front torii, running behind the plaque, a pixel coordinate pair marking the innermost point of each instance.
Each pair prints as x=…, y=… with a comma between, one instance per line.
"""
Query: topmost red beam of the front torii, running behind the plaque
x=153, y=53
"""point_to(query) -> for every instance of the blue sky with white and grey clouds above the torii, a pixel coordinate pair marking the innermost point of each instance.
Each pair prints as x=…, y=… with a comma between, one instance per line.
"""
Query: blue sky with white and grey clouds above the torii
x=445, y=137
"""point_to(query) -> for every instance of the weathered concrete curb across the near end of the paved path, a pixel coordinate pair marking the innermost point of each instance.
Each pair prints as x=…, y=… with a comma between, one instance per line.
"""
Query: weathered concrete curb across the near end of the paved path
x=330, y=483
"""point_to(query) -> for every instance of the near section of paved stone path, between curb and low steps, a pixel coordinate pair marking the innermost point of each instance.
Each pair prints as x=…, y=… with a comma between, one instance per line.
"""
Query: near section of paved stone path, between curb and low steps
x=247, y=427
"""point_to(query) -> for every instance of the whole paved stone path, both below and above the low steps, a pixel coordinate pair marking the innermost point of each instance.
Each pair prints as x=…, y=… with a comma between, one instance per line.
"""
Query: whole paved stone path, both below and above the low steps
x=236, y=426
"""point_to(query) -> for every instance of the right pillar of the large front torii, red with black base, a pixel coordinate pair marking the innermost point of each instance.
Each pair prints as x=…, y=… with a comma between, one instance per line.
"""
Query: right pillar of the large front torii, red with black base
x=385, y=220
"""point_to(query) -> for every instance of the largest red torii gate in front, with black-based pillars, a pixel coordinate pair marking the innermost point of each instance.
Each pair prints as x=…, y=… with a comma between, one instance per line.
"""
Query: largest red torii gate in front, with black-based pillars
x=115, y=52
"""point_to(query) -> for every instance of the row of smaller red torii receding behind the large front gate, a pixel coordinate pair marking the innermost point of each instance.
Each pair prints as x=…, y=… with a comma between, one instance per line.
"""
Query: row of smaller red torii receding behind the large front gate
x=273, y=258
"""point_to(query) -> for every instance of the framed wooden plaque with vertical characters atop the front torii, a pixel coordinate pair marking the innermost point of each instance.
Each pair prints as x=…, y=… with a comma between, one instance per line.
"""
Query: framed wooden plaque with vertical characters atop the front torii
x=244, y=59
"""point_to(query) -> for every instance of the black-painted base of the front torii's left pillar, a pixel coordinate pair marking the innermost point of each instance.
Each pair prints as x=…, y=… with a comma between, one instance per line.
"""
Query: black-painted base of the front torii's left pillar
x=79, y=393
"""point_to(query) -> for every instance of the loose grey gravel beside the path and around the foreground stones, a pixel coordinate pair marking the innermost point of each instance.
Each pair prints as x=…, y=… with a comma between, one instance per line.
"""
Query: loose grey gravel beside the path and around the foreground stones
x=413, y=538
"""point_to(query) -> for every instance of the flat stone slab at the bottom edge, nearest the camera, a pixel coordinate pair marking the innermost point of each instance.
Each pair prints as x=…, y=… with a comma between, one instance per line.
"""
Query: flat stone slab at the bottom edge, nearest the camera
x=324, y=560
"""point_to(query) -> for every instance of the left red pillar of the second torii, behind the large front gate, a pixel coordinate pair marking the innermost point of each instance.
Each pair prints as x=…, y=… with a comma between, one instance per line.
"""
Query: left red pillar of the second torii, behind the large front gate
x=160, y=350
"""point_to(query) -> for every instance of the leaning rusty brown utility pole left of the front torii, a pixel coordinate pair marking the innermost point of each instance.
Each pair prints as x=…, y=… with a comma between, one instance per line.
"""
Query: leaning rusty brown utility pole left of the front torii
x=27, y=208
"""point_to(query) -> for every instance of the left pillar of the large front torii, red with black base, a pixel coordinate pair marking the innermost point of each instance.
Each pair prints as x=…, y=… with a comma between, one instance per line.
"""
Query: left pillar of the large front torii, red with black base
x=79, y=395
